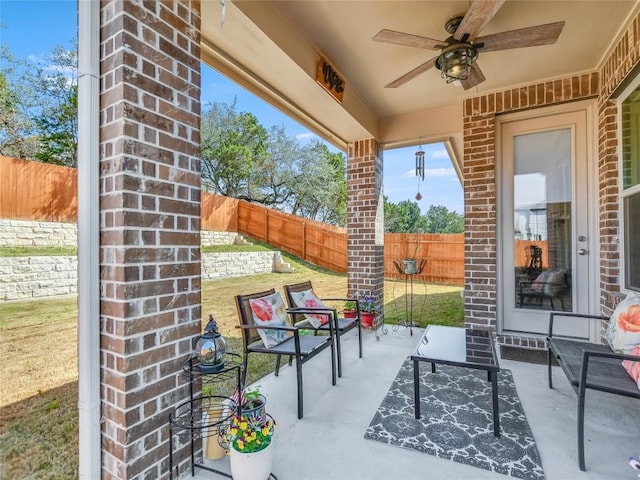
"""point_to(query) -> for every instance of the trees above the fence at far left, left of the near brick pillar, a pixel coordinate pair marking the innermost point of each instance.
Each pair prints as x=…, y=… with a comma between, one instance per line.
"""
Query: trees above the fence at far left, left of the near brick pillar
x=39, y=100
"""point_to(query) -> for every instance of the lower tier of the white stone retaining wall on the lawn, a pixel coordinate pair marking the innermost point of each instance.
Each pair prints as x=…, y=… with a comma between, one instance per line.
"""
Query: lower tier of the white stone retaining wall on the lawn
x=34, y=277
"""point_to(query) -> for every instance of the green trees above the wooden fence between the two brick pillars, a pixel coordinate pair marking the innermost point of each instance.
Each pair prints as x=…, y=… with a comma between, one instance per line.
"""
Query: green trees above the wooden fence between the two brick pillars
x=241, y=159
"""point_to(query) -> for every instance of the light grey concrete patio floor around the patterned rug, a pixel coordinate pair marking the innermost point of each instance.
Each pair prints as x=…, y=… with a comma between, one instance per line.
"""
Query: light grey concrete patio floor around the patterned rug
x=329, y=444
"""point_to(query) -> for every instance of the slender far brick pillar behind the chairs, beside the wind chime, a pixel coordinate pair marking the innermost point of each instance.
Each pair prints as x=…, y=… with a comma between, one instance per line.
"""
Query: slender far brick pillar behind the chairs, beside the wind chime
x=365, y=219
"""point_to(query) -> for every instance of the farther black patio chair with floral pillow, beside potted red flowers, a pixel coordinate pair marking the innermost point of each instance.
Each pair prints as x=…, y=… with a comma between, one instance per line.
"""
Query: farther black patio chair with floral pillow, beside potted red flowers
x=340, y=325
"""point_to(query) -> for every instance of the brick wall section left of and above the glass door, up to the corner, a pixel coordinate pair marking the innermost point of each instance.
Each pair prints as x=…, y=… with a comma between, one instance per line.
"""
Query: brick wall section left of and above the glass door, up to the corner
x=480, y=187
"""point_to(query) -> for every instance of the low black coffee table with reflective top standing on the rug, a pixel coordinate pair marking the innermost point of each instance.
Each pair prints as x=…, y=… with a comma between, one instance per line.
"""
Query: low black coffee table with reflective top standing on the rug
x=461, y=347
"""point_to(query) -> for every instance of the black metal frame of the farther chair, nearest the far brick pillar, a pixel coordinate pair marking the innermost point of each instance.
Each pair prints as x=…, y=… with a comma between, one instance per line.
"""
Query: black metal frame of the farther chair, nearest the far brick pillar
x=340, y=325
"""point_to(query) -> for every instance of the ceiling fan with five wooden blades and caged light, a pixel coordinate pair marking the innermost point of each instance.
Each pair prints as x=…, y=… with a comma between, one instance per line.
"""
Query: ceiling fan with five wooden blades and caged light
x=459, y=52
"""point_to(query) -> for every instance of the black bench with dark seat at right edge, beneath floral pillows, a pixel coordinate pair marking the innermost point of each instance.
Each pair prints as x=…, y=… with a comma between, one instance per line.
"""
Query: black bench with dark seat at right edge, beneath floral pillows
x=588, y=365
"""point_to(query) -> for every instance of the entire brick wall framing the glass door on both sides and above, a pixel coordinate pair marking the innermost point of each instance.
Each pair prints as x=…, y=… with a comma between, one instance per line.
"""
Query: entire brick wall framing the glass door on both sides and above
x=480, y=180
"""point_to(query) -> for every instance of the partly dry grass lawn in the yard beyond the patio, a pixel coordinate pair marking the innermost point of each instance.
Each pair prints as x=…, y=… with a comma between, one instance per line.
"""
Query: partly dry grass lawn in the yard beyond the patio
x=38, y=407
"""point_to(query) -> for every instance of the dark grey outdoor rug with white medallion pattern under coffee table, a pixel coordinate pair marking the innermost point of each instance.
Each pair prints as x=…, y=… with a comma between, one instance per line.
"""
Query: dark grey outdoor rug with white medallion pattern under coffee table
x=456, y=420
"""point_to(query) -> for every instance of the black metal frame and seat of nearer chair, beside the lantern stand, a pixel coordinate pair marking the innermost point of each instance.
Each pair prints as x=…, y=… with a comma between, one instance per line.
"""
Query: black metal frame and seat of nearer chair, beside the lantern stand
x=300, y=347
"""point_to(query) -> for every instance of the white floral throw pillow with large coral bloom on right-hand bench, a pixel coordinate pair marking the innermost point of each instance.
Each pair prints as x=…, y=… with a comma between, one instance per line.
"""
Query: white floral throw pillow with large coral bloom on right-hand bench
x=623, y=332
